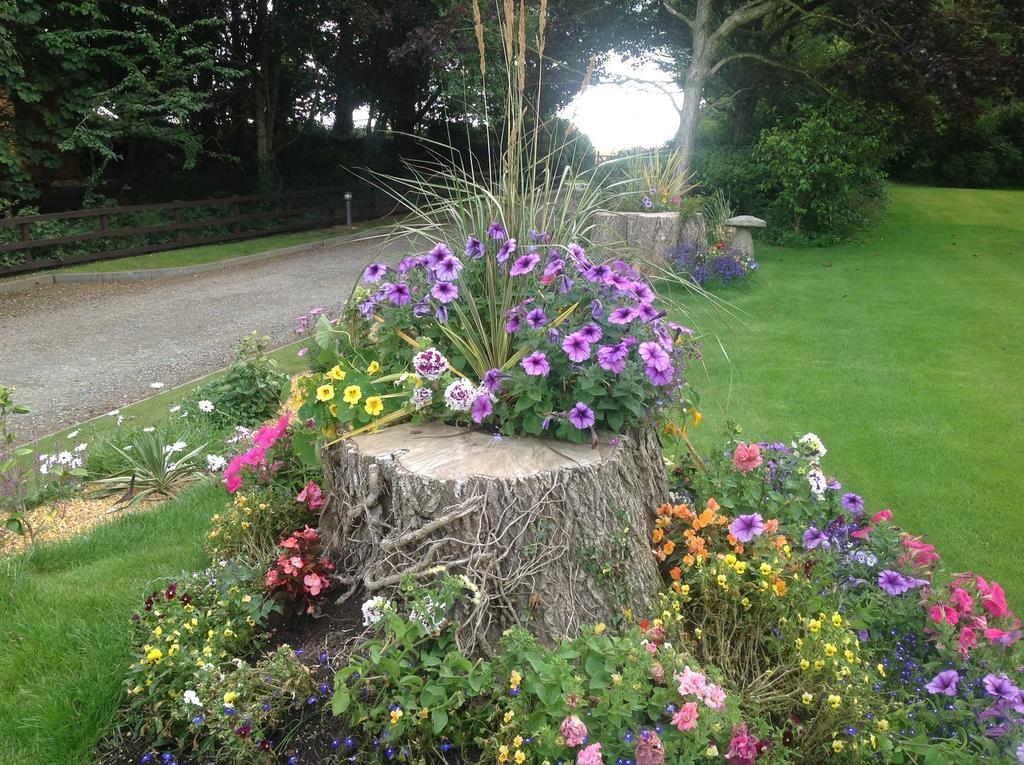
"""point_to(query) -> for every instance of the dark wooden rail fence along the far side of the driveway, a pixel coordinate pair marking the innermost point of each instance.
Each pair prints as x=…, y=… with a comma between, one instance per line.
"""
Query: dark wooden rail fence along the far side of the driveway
x=31, y=243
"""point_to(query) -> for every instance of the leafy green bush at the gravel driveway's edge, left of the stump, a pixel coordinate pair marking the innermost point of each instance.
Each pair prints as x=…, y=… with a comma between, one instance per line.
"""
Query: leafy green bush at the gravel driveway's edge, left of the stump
x=248, y=394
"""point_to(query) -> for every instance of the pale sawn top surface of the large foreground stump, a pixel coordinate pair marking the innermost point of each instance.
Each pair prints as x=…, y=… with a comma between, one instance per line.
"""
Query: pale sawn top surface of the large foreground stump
x=448, y=453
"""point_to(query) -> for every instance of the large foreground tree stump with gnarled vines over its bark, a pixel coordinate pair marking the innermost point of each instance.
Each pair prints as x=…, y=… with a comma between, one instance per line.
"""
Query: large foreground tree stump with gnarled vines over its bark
x=553, y=535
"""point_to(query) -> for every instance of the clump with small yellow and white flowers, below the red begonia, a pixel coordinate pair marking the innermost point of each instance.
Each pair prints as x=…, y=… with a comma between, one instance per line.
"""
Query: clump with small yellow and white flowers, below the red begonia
x=193, y=683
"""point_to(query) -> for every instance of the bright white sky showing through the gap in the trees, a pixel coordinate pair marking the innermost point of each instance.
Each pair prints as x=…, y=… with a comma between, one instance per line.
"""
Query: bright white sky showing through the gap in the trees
x=623, y=115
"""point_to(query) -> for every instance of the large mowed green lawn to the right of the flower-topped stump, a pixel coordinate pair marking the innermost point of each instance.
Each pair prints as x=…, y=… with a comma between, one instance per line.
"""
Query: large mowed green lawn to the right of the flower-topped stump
x=906, y=354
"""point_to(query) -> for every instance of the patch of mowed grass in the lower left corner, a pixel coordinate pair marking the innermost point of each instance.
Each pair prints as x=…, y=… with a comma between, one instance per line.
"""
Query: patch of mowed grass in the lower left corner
x=65, y=625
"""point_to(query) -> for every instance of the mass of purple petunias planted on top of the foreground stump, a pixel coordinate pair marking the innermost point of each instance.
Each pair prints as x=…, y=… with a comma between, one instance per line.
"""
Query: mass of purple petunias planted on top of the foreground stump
x=527, y=337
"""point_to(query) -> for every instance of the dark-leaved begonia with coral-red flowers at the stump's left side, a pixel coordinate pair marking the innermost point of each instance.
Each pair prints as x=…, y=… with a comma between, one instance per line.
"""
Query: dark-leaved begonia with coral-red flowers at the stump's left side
x=302, y=574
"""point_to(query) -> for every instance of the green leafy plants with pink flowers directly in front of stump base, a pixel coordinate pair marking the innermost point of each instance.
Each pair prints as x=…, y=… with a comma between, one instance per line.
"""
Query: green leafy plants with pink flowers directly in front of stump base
x=593, y=699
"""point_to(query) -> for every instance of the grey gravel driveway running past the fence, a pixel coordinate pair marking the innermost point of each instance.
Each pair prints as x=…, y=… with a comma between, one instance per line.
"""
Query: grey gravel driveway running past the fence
x=77, y=351
